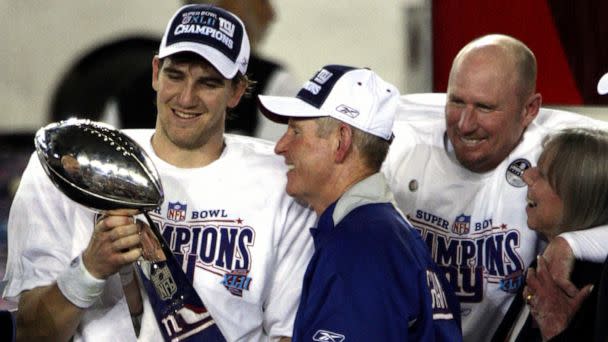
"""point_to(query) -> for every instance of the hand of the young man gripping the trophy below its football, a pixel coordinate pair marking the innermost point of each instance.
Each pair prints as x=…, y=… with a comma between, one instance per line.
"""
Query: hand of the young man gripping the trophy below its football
x=116, y=242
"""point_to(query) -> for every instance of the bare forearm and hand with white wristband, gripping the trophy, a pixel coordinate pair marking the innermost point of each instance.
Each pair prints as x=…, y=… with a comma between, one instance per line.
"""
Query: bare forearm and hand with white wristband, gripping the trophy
x=53, y=312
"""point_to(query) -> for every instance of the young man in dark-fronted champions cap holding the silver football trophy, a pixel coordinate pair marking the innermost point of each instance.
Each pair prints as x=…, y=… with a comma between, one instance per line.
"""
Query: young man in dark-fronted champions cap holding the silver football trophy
x=226, y=219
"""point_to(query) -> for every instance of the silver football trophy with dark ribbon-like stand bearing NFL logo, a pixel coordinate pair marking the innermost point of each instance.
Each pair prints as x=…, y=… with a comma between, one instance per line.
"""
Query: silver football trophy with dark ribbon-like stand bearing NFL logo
x=105, y=170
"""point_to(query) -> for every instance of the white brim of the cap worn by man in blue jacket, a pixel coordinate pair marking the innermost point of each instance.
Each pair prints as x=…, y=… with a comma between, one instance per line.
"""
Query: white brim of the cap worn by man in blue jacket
x=279, y=109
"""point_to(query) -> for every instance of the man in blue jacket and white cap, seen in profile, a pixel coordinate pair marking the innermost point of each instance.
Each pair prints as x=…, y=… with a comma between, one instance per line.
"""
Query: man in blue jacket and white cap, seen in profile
x=371, y=277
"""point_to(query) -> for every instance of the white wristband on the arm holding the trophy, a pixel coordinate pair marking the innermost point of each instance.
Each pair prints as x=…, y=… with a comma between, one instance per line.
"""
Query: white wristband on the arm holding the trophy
x=78, y=285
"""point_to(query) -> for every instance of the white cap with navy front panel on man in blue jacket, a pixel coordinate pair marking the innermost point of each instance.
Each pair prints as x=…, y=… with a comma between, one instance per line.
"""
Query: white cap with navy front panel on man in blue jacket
x=356, y=96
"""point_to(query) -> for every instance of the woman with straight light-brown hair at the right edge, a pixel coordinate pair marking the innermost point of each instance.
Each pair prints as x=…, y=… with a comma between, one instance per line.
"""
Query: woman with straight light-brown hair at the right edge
x=567, y=190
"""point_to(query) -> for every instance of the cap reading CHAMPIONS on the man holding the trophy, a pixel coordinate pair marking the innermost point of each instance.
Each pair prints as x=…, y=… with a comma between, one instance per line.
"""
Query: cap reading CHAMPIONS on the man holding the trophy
x=211, y=32
